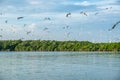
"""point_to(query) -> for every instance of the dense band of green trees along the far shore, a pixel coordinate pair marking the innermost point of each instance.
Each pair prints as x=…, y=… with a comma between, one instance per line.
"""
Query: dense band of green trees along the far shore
x=52, y=45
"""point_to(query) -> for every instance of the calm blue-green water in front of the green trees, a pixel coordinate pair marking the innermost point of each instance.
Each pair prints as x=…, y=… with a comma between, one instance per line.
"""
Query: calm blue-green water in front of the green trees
x=59, y=66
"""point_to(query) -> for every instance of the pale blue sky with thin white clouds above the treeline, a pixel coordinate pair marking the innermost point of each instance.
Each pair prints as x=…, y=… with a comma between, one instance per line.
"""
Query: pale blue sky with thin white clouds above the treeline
x=89, y=20
